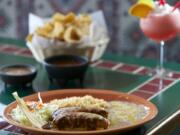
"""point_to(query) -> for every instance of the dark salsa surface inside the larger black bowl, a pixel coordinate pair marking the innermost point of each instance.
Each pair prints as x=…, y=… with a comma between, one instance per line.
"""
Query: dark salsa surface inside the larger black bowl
x=66, y=62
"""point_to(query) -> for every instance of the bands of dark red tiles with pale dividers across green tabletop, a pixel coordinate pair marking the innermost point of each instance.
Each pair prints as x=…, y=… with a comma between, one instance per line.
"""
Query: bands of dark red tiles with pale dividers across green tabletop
x=147, y=90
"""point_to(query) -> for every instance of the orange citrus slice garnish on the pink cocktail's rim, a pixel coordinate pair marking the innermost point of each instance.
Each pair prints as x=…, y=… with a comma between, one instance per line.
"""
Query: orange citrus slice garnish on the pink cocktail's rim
x=142, y=8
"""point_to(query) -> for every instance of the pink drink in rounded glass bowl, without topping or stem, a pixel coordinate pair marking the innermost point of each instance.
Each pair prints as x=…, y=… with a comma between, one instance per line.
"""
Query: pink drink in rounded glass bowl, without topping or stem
x=161, y=27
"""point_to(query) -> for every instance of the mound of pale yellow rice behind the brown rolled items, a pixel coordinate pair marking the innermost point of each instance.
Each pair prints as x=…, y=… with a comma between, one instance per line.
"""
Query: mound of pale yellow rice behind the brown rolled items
x=85, y=101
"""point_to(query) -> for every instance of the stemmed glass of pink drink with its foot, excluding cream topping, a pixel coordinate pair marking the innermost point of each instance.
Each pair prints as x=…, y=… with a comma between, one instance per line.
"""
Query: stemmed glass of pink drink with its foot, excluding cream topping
x=160, y=28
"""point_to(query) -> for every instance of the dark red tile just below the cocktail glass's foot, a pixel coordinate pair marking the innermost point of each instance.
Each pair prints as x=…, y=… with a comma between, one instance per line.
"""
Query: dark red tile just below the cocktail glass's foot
x=150, y=88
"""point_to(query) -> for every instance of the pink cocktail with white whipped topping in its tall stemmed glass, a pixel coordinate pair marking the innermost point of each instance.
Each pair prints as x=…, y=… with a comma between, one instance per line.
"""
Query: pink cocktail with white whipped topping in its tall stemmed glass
x=160, y=25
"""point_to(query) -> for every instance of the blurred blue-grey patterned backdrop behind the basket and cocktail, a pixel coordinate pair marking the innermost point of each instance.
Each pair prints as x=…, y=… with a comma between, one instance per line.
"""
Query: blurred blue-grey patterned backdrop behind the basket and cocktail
x=126, y=36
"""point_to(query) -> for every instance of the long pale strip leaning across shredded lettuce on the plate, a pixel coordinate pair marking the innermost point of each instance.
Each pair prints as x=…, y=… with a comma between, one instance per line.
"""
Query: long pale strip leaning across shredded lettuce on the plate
x=33, y=119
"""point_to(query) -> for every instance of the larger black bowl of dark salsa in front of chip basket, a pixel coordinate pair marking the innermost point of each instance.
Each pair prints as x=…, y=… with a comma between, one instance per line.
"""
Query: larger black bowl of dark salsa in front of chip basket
x=66, y=67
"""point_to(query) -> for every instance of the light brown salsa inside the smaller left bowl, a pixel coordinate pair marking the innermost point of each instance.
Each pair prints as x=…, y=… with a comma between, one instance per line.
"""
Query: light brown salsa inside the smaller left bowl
x=17, y=71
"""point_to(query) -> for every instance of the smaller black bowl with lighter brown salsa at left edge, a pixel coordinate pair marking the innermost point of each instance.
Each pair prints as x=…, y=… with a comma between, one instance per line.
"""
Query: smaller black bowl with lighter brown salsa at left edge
x=17, y=74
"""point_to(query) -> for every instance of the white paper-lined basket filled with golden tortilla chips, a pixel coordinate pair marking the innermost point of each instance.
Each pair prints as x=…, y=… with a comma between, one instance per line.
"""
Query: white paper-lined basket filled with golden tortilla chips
x=83, y=35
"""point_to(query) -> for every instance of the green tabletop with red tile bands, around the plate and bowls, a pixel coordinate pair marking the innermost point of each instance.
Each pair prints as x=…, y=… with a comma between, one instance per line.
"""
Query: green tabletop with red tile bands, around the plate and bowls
x=104, y=76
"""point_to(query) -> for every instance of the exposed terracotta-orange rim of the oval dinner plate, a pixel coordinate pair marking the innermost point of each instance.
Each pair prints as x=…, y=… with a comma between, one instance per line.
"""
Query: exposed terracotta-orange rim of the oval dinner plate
x=103, y=94
